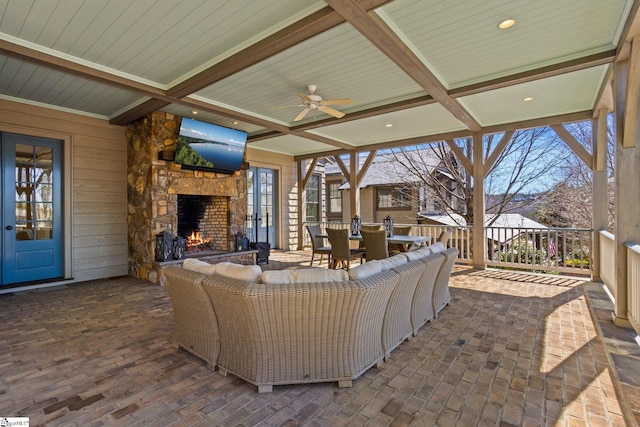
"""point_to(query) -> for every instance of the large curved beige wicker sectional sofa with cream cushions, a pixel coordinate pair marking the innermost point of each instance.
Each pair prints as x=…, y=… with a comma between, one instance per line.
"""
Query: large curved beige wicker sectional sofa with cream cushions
x=305, y=326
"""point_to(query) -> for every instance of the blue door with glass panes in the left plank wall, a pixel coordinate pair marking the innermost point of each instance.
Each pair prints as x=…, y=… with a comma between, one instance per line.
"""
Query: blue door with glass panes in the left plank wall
x=32, y=226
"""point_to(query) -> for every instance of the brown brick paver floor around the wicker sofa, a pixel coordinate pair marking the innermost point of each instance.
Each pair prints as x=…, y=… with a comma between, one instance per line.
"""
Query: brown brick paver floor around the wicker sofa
x=508, y=350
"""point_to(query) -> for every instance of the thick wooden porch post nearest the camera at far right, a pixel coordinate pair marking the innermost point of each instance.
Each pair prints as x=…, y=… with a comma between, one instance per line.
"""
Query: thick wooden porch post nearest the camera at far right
x=627, y=172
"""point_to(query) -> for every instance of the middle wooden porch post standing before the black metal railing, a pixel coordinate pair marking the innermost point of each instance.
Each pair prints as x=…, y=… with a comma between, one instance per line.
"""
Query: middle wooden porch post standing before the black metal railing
x=479, y=243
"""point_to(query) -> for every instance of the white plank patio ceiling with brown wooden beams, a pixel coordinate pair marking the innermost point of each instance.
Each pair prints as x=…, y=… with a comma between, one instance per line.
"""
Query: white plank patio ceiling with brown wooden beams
x=431, y=69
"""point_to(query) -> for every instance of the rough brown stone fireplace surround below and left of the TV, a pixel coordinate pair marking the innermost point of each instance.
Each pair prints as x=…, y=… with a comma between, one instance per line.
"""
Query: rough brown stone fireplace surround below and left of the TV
x=153, y=186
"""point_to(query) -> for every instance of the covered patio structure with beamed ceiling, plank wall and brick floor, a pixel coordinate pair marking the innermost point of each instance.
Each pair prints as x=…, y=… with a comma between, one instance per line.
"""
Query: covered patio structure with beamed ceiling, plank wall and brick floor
x=109, y=86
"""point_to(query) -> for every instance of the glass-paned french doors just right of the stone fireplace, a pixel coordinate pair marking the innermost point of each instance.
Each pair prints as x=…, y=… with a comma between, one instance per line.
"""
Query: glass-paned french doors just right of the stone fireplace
x=261, y=205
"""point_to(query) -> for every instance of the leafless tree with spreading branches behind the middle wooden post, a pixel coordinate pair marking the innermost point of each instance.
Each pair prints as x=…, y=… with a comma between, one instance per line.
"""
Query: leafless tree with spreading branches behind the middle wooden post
x=528, y=164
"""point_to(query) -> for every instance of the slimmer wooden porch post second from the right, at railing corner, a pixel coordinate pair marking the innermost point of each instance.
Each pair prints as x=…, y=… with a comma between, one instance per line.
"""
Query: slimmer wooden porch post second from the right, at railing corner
x=600, y=195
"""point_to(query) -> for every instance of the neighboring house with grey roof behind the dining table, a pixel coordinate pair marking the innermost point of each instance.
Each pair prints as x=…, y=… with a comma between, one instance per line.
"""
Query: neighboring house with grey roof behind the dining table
x=387, y=189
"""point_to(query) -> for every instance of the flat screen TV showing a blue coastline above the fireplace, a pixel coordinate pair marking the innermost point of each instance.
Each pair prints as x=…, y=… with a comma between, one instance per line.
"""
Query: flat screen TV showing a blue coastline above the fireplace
x=209, y=147
